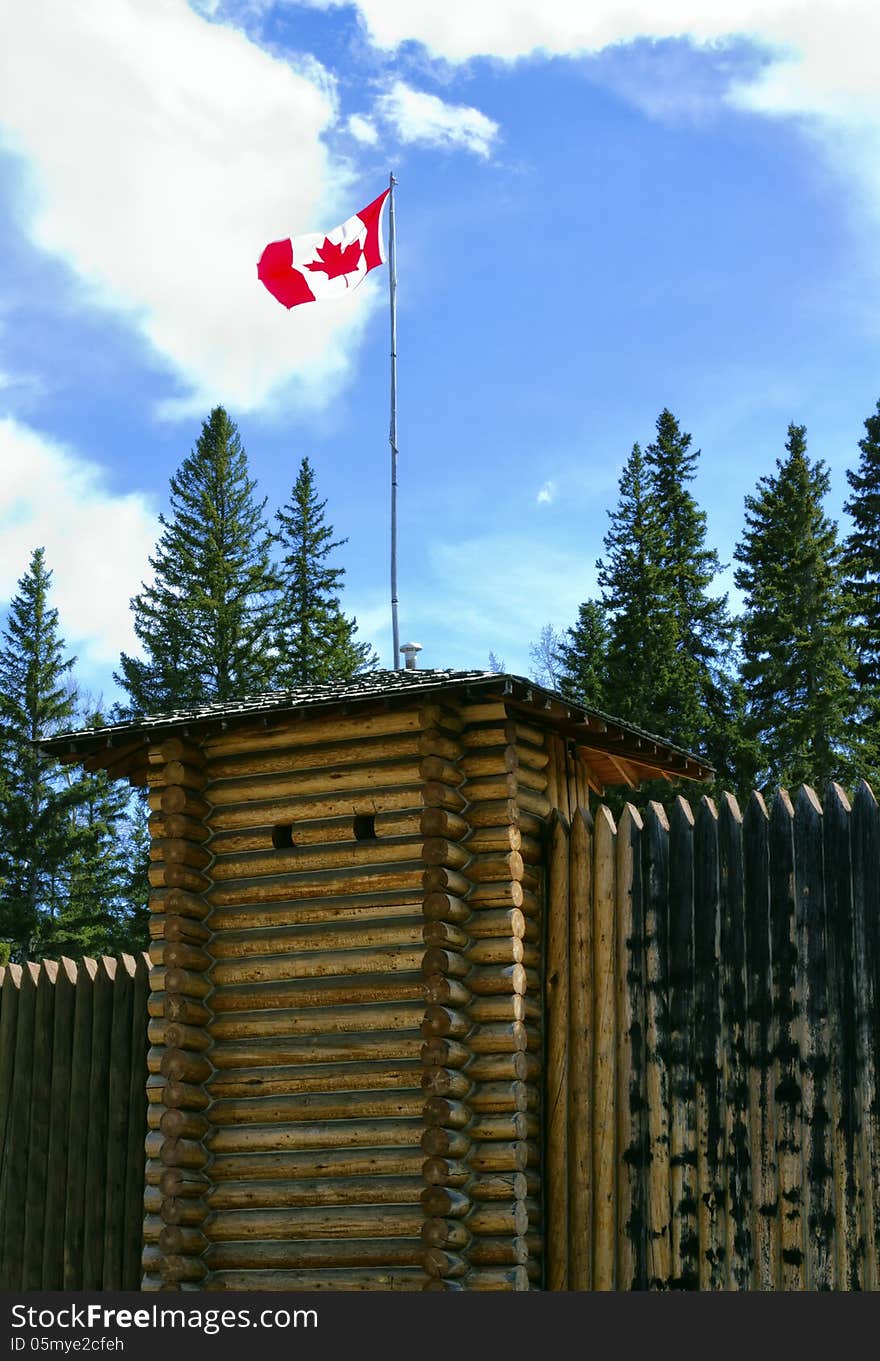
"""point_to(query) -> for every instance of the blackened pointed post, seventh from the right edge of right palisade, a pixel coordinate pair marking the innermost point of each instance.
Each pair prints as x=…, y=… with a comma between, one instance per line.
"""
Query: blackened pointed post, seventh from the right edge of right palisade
x=711, y=1111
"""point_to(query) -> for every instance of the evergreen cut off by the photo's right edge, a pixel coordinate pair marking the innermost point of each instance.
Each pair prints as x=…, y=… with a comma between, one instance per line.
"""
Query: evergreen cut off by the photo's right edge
x=863, y=589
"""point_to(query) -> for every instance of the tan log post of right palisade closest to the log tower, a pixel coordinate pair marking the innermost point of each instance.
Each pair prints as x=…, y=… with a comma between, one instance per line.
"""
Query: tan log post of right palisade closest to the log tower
x=557, y=1031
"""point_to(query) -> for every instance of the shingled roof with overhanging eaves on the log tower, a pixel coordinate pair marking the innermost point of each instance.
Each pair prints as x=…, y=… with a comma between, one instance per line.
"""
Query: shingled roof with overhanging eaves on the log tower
x=626, y=753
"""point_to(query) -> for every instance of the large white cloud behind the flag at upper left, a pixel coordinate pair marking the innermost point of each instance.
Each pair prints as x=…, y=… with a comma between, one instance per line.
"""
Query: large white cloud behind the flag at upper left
x=164, y=154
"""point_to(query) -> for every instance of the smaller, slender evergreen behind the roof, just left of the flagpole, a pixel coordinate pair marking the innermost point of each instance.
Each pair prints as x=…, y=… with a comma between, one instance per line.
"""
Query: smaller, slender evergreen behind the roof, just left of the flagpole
x=315, y=640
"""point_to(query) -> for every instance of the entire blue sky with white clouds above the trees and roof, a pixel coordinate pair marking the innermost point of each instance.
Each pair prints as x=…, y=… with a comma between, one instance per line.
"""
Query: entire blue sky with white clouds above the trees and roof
x=602, y=212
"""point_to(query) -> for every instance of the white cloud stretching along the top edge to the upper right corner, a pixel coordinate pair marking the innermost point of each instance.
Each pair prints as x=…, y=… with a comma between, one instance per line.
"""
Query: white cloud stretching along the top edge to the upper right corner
x=819, y=55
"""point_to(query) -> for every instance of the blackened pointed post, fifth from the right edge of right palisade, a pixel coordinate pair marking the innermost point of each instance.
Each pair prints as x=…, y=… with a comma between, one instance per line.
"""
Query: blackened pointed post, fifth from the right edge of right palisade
x=760, y=1040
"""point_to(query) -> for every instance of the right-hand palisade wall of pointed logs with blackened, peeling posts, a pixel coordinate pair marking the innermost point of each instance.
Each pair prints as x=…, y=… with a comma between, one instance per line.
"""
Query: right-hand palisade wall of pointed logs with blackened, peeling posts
x=731, y=963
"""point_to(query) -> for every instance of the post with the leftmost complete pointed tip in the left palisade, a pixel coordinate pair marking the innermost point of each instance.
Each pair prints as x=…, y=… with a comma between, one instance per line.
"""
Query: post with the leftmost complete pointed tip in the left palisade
x=18, y=1128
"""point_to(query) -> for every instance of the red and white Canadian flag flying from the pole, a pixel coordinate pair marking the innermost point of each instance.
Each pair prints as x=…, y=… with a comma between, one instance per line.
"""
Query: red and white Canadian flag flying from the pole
x=315, y=267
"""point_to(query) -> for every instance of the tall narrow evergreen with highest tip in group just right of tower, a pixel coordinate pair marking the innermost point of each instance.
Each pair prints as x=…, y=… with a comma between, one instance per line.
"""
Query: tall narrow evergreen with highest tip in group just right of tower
x=697, y=703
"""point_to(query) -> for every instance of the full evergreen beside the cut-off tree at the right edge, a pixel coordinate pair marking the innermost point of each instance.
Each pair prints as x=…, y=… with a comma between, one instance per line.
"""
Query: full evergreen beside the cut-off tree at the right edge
x=796, y=658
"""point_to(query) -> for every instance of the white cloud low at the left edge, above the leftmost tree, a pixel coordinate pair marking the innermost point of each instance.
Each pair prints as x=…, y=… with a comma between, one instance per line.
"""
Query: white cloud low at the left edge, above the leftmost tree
x=97, y=542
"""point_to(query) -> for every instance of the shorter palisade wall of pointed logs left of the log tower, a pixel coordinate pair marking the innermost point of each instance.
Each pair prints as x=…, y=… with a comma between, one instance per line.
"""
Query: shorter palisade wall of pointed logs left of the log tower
x=73, y=1118
